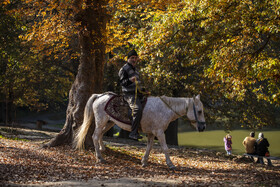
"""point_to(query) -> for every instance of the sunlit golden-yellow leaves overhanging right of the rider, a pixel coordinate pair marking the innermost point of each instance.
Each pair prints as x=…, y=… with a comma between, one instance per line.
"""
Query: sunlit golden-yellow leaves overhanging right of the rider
x=232, y=35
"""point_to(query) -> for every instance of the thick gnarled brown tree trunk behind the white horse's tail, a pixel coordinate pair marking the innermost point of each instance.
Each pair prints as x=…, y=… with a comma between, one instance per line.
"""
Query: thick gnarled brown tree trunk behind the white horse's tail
x=89, y=78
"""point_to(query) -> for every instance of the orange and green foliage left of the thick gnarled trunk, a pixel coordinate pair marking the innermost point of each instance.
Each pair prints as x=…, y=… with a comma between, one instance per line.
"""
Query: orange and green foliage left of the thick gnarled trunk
x=27, y=79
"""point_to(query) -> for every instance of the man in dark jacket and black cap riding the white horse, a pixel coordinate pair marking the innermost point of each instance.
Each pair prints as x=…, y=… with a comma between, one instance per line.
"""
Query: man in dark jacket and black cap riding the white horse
x=130, y=79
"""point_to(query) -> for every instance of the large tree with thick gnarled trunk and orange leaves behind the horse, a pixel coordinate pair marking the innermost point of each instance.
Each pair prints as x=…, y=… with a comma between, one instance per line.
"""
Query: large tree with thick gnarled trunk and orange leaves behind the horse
x=52, y=27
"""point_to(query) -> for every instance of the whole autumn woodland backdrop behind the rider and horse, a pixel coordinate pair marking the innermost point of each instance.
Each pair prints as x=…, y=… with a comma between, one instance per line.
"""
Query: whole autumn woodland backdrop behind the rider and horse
x=227, y=51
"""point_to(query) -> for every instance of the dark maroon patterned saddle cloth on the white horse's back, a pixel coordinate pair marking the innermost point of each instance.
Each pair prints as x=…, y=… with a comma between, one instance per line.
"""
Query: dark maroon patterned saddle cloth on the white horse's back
x=119, y=109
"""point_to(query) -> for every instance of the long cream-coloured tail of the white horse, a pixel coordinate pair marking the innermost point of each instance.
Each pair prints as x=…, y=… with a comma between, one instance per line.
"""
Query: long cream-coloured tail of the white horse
x=88, y=121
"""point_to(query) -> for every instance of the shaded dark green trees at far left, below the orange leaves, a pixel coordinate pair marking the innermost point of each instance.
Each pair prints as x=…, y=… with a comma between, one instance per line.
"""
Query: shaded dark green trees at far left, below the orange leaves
x=27, y=77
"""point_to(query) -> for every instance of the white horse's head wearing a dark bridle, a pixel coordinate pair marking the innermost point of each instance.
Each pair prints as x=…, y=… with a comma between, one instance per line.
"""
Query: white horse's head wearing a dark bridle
x=195, y=114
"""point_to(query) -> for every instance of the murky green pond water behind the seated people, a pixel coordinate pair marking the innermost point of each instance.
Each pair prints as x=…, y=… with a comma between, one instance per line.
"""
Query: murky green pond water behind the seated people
x=214, y=140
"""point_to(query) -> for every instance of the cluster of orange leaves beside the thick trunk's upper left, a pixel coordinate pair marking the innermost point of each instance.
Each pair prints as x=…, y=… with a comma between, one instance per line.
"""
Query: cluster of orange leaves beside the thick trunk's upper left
x=49, y=31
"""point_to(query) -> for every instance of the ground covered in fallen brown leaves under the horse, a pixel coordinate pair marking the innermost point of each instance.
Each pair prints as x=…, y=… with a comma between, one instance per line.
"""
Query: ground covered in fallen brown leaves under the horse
x=24, y=162
